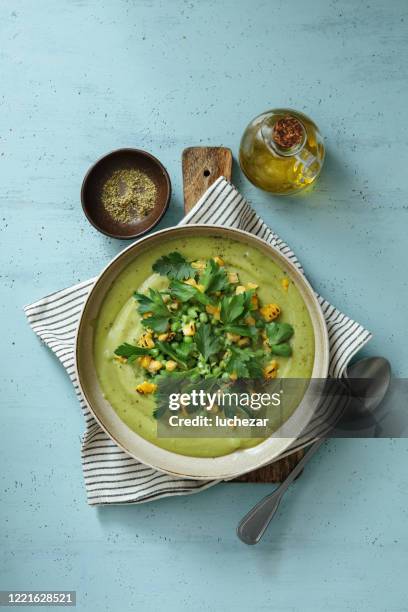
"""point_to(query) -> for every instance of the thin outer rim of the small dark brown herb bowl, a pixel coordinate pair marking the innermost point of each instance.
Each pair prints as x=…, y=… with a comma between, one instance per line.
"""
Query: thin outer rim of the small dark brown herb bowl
x=91, y=169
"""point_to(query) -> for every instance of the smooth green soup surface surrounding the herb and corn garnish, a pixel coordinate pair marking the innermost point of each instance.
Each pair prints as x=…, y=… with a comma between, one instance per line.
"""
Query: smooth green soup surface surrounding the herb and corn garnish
x=118, y=322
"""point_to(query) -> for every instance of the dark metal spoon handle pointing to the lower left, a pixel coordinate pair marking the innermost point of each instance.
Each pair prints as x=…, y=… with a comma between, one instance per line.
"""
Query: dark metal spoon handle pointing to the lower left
x=252, y=527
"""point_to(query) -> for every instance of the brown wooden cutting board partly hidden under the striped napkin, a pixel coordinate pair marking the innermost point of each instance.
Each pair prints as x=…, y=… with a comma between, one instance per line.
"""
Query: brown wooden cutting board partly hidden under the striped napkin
x=201, y=167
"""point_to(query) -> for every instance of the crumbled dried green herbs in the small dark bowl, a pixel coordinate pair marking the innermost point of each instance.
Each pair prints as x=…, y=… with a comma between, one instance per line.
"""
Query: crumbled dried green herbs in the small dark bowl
x=127, y=194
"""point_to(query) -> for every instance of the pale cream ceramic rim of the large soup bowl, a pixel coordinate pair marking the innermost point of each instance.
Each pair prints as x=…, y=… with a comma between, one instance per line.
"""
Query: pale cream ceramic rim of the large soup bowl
x=281, y=443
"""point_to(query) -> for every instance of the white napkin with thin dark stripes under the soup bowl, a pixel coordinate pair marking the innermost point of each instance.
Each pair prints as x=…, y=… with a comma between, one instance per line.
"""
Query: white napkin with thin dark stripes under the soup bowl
x=112, y=476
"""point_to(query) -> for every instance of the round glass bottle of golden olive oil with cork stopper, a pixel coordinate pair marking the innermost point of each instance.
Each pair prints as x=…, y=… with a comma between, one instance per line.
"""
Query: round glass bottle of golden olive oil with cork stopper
x=281, y=151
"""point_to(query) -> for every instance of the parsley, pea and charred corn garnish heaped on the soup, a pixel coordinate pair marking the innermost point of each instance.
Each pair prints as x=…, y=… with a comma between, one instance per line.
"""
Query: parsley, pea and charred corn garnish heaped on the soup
x=206, y=325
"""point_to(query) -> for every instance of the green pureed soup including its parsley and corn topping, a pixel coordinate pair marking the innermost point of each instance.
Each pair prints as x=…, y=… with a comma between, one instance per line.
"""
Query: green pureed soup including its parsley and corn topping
x=129, y=382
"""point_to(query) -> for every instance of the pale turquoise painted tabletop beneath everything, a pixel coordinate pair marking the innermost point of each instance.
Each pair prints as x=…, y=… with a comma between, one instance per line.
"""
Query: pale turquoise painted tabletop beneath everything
x=82, y=78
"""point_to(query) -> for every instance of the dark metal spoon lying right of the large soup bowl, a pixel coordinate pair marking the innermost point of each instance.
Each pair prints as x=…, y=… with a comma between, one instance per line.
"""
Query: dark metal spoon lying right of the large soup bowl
x=368, y=380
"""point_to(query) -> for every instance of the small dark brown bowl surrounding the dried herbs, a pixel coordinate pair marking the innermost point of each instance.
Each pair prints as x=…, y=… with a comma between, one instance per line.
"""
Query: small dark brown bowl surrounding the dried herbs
x=102, y=170
